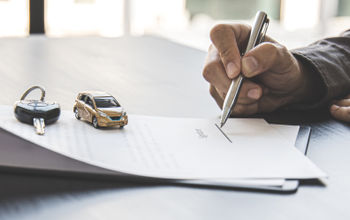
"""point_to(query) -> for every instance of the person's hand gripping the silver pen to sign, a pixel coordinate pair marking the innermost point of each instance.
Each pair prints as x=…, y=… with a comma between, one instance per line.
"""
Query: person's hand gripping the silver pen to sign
x=274, y=77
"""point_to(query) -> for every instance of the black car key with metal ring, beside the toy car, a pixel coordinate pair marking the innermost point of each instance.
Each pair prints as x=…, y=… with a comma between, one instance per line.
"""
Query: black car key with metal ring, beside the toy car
x=37, y=112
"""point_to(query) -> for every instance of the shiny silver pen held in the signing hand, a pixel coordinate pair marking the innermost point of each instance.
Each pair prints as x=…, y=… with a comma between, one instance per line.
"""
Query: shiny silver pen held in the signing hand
x=256, y=36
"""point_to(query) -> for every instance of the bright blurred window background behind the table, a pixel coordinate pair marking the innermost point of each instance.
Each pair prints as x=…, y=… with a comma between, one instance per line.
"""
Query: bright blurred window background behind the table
x=293, y=22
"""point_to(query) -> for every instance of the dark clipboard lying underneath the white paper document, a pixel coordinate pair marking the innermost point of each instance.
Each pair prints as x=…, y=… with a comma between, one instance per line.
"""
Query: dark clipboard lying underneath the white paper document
x=20, y=156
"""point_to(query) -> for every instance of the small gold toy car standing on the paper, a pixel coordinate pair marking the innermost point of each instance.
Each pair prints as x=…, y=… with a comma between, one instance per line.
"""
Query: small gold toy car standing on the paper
x=100, y=108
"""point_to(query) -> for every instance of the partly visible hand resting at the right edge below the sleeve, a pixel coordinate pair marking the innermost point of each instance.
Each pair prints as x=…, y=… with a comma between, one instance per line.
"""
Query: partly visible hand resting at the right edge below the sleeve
x=341, y=109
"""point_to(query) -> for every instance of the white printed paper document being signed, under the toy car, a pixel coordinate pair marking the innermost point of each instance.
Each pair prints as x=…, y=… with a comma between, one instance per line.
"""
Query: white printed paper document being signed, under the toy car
x=174, y=148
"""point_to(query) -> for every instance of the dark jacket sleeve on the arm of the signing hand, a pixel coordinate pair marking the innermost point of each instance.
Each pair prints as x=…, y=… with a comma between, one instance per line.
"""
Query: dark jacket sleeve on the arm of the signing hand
x=329, y=62
